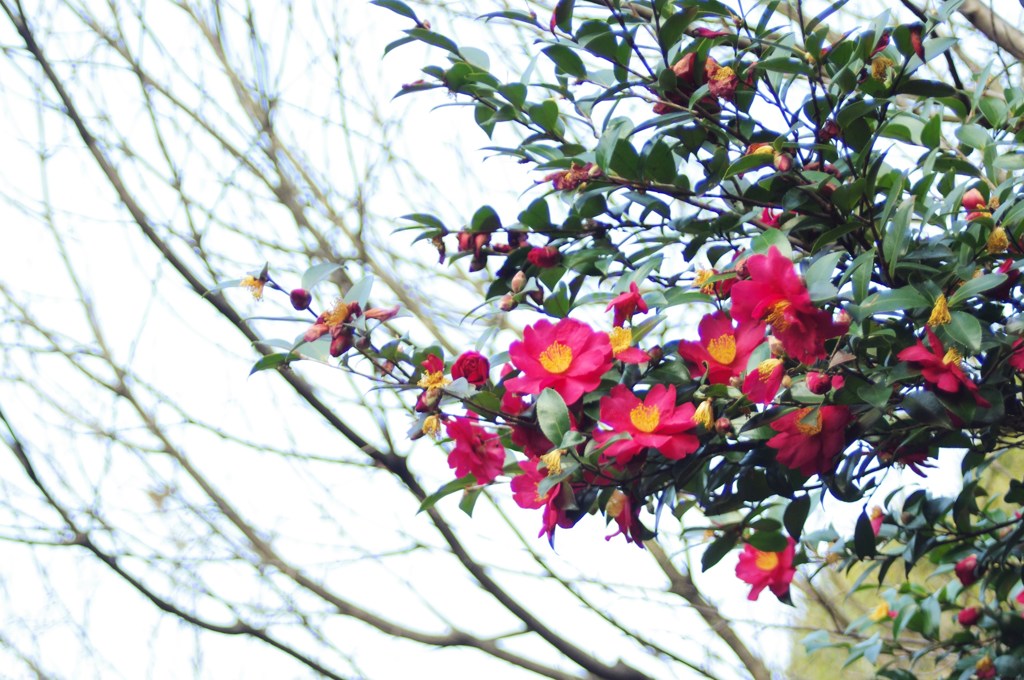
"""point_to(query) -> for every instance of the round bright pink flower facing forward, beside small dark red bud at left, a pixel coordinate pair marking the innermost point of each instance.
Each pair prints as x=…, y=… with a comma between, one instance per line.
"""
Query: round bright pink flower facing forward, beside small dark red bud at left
x=568, y=357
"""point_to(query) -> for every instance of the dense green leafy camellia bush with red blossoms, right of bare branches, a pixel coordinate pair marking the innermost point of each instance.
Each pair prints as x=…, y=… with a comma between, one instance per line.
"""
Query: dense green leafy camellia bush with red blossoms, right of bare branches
x=846, y=229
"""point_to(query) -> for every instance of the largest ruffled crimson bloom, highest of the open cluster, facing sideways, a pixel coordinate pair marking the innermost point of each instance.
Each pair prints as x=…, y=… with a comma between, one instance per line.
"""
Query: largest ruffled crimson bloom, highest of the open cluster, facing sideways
x=777, y=294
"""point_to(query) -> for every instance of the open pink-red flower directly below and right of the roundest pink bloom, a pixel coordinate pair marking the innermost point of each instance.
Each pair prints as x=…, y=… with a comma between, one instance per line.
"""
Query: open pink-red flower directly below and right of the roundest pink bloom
x=655, y=422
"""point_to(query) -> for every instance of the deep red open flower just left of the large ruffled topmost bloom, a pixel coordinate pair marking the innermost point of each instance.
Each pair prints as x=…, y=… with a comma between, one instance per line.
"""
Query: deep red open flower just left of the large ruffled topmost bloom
x=723, y=351
